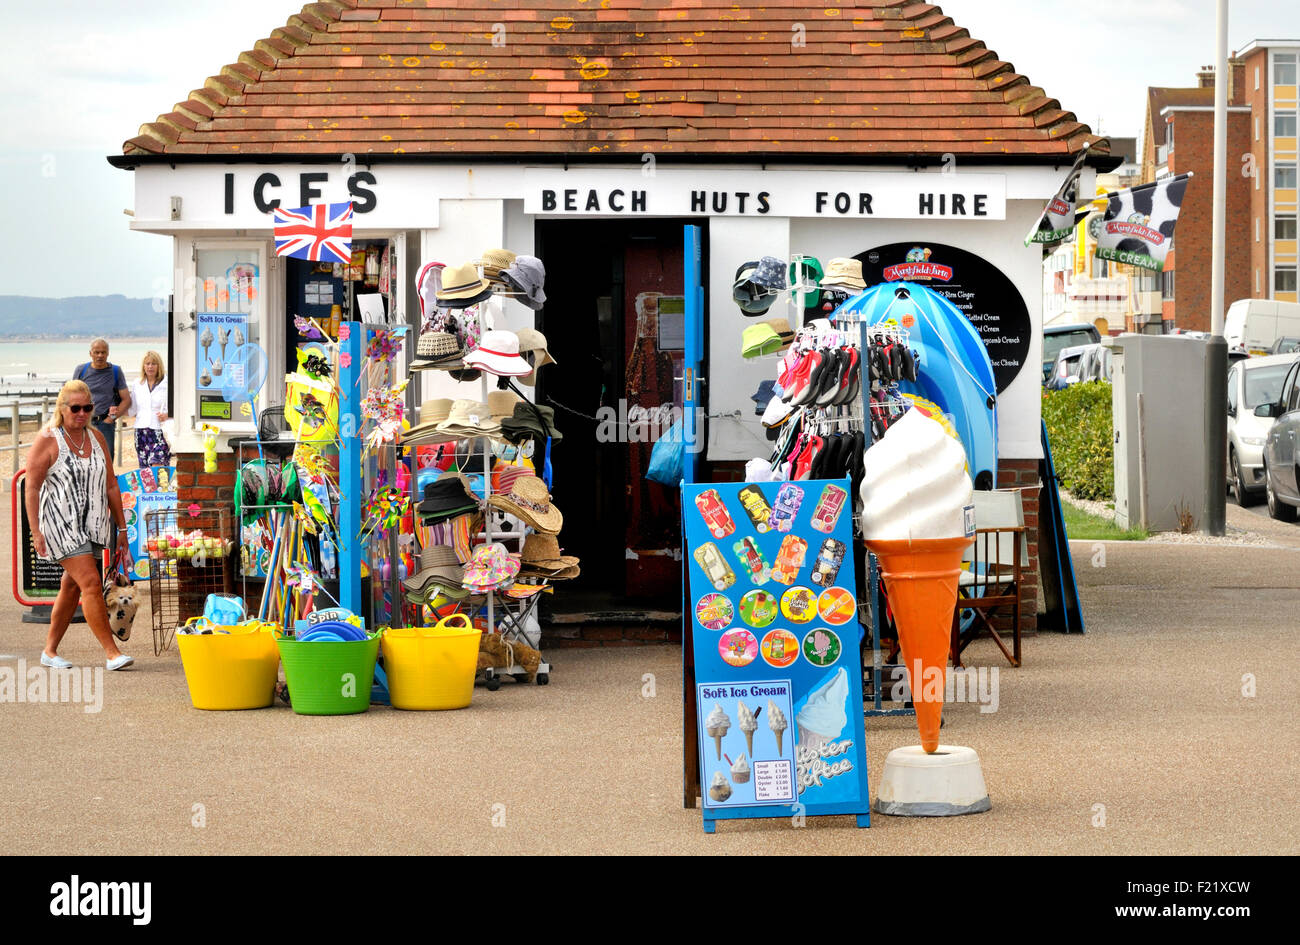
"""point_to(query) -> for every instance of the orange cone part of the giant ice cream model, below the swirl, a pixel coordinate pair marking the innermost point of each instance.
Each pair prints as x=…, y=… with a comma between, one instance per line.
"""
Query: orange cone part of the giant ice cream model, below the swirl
x=921, y=583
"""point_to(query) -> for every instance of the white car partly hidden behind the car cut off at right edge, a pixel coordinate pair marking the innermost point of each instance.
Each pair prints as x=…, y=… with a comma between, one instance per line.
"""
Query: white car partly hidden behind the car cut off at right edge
x=1251, y=384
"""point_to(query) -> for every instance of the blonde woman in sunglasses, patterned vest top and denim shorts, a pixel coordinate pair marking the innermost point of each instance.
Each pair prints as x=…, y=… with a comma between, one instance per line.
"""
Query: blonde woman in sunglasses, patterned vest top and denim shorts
x=71, y=493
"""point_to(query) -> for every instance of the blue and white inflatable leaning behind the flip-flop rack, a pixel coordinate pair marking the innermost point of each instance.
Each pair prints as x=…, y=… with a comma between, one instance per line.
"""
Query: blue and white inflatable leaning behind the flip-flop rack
x=955, y=370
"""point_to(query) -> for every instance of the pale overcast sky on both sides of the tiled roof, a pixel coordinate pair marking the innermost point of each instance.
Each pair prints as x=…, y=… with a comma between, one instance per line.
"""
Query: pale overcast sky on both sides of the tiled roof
x=83, y=77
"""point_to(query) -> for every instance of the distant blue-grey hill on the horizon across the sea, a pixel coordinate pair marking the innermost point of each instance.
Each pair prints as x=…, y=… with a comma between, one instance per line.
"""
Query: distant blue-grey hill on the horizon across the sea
x=85, y=317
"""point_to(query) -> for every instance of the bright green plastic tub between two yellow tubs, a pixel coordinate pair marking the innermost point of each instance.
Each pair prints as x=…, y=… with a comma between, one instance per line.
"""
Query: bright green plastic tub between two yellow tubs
x=330, y=678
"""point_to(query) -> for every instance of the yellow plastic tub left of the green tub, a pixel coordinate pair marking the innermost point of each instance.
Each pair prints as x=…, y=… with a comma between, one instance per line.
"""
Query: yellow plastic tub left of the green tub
x=229, y=671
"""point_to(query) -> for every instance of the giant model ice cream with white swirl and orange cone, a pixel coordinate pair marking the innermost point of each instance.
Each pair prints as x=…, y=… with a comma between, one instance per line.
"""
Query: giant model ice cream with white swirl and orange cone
x=913, y=498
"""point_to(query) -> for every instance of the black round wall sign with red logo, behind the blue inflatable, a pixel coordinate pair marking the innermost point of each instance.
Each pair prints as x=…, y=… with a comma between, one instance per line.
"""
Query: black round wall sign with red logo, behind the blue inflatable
x=974, y=285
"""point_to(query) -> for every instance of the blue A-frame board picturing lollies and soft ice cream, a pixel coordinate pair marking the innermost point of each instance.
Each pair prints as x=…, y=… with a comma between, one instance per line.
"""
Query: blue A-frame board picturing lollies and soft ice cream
x=770, y=599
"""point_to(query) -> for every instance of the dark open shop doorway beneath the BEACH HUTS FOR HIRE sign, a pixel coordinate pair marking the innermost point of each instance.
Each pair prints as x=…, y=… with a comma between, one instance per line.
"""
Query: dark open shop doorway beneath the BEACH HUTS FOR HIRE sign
x=614, y=319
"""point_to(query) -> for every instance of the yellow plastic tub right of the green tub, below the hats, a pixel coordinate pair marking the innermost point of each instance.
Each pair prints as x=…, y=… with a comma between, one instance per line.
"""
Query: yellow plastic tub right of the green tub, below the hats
x=432, y=669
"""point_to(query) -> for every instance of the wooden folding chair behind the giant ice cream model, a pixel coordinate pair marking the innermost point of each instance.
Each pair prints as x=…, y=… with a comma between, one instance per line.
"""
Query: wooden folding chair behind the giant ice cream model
x=993, y=583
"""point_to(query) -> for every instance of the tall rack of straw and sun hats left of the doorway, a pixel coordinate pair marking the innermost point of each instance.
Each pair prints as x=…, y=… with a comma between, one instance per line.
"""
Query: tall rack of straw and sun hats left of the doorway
x=508, y=605
